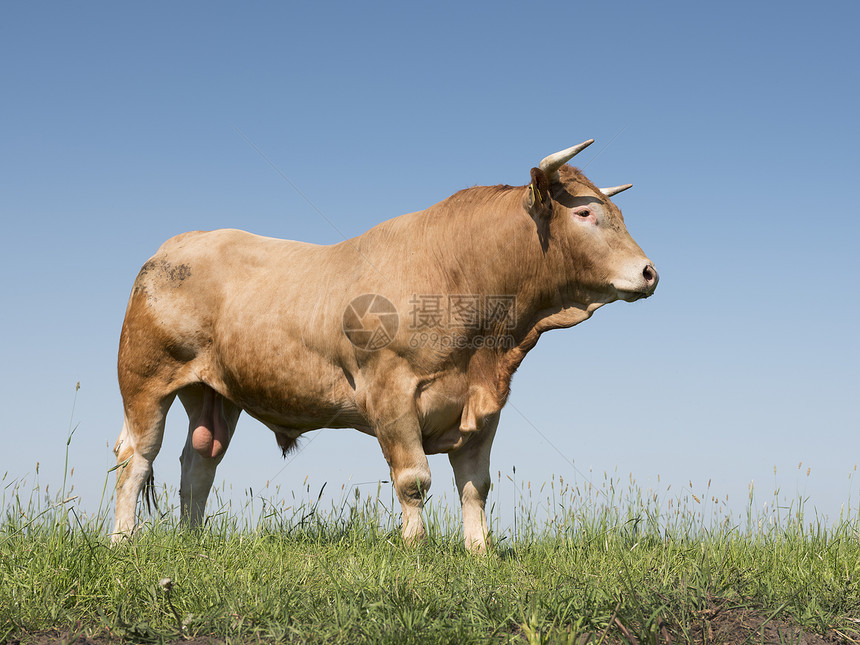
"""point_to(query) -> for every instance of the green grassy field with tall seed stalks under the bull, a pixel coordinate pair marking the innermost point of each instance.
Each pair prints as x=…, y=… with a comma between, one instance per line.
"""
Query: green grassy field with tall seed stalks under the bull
x=603, y=564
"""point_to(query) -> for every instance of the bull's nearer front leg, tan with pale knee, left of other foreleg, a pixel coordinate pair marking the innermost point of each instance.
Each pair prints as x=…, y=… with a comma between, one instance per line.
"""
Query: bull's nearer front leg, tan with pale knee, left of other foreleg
x=399, y=434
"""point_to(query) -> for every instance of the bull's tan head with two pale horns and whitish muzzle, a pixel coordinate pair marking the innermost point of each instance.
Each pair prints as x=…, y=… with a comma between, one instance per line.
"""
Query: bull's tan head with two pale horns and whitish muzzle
x=584, y=232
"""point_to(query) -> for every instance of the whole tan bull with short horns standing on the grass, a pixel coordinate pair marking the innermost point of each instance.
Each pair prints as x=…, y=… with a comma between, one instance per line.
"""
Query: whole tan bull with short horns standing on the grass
x=410, y=332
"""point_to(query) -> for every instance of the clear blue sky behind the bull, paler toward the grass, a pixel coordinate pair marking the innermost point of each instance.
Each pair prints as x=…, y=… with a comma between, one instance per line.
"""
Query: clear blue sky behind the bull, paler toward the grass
x=124, y=124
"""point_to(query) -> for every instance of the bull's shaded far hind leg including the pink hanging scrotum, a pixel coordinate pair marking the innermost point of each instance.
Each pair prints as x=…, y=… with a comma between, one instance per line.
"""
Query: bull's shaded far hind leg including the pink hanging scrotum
x=211, y=422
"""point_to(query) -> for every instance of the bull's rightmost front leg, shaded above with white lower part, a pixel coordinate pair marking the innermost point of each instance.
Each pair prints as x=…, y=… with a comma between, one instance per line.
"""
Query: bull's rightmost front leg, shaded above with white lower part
x=471, y=465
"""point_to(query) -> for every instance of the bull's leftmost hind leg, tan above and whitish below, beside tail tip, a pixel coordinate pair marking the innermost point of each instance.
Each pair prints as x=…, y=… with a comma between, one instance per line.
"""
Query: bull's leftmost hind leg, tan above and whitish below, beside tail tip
x=136, y=449
